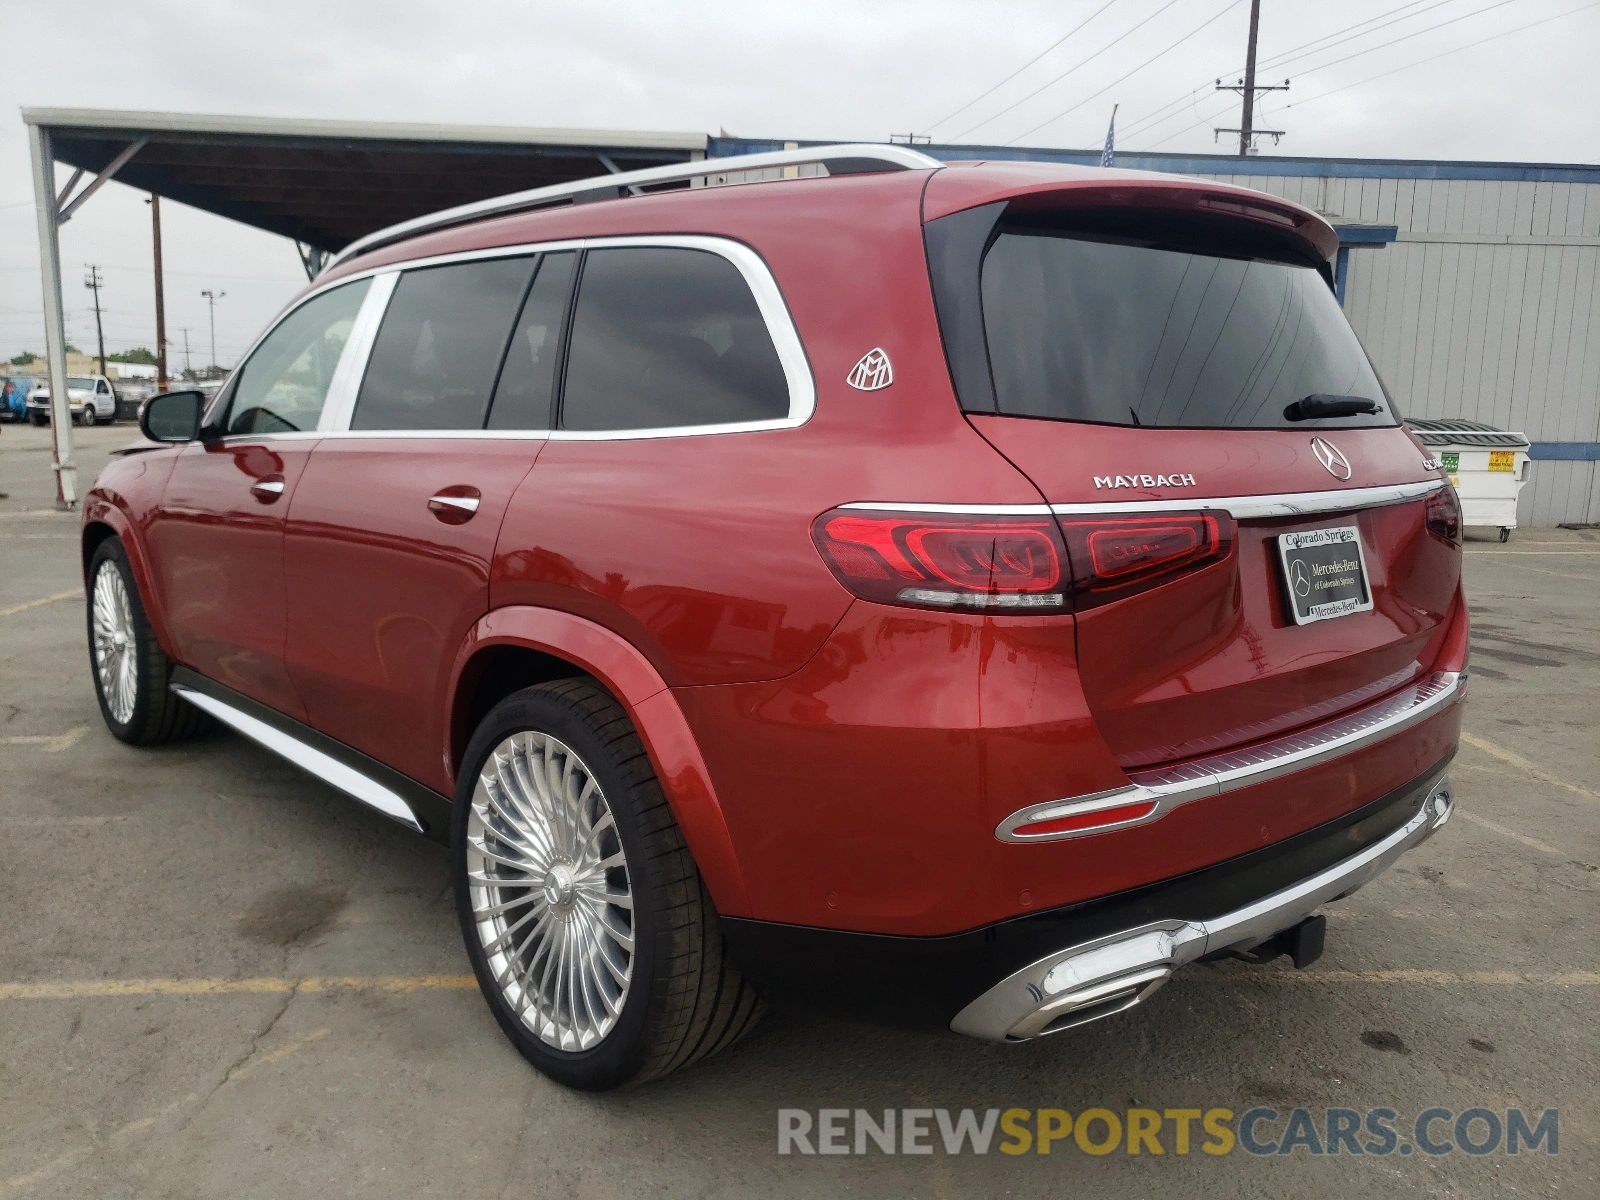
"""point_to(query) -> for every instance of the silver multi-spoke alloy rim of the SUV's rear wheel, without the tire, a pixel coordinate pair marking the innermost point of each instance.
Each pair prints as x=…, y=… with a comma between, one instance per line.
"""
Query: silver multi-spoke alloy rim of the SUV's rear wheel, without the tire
x=550, y=890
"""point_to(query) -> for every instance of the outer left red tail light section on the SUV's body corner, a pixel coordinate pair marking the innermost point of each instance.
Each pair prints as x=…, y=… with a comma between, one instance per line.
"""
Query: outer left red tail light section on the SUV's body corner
x=945, y=562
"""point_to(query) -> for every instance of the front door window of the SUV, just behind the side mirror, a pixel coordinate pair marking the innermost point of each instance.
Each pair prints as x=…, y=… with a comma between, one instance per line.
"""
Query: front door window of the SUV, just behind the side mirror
x=284, y=385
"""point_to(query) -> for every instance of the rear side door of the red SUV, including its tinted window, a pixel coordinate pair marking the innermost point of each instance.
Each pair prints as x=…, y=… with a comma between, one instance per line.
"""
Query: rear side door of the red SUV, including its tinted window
x=393, y=527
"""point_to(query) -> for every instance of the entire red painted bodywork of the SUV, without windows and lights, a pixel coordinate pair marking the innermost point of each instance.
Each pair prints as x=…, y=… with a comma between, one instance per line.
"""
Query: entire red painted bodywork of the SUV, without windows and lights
x=833, y=762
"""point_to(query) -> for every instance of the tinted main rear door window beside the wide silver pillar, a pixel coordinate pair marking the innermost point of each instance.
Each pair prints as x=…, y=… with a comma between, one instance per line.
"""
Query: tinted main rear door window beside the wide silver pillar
x=441, y=345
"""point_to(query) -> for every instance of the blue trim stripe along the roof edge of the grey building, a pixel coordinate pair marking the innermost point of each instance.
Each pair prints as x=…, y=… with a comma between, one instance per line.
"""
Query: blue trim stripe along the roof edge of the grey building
x=1231, y=164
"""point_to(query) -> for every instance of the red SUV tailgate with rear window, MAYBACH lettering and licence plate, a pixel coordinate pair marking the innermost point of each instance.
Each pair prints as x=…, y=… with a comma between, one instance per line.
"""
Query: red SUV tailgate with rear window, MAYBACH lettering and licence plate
x=1247, y=521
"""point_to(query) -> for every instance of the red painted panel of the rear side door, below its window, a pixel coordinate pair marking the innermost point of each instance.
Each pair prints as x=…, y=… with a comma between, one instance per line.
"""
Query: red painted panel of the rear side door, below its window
x=382, y=590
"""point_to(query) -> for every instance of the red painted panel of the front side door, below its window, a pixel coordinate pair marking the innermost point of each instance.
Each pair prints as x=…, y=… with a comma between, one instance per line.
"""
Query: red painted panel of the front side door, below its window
x=217, y=556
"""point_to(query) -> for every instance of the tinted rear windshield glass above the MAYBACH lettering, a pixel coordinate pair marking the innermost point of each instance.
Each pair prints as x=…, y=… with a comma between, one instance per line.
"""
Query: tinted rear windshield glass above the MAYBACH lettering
x=1135, y=335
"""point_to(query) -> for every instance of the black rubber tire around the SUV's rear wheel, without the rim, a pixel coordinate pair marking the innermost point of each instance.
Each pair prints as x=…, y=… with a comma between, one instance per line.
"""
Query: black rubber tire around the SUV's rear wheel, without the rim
x=686, y=1001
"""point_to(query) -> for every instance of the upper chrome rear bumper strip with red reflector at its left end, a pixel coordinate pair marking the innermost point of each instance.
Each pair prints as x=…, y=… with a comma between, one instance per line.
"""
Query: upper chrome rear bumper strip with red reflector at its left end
x=1174, y=786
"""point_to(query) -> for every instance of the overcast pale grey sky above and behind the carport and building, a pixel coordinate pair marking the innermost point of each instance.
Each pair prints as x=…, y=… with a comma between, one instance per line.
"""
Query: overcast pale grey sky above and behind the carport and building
x=847, y=70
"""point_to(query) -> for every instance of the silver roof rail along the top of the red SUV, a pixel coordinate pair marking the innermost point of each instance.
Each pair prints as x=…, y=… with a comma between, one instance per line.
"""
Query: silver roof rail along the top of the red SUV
x=855, y=159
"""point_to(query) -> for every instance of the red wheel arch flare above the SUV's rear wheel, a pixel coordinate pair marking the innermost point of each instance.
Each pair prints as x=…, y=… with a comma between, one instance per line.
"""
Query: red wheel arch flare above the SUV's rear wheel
x=522, y=646
